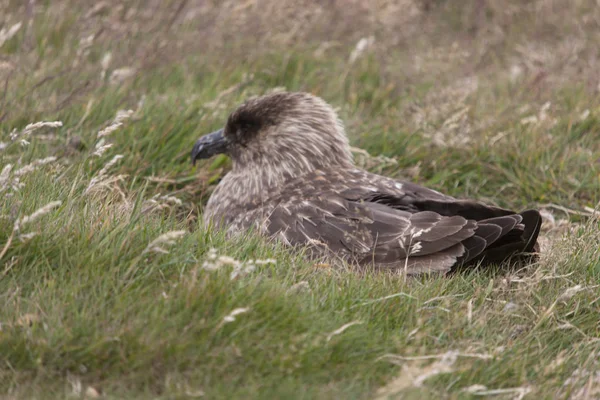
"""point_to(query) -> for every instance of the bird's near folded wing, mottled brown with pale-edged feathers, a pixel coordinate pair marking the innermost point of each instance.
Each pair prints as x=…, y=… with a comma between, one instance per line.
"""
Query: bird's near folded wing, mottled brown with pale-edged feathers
x=370, y=232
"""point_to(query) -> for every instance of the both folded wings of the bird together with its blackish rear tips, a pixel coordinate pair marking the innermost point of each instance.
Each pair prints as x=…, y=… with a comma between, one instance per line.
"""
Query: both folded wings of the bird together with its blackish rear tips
x=399, y=225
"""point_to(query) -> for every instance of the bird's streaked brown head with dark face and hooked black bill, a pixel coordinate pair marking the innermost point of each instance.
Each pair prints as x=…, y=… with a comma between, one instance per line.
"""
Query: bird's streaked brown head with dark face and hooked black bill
x=292, y=132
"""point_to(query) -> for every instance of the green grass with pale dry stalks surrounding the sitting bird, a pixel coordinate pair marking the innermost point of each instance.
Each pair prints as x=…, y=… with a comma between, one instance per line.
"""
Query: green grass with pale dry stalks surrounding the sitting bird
x=84, y=303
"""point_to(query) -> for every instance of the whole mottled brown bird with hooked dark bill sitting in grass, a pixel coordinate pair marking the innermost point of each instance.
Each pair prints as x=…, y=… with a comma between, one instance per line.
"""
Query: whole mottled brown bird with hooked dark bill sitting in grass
x=293, y=180
